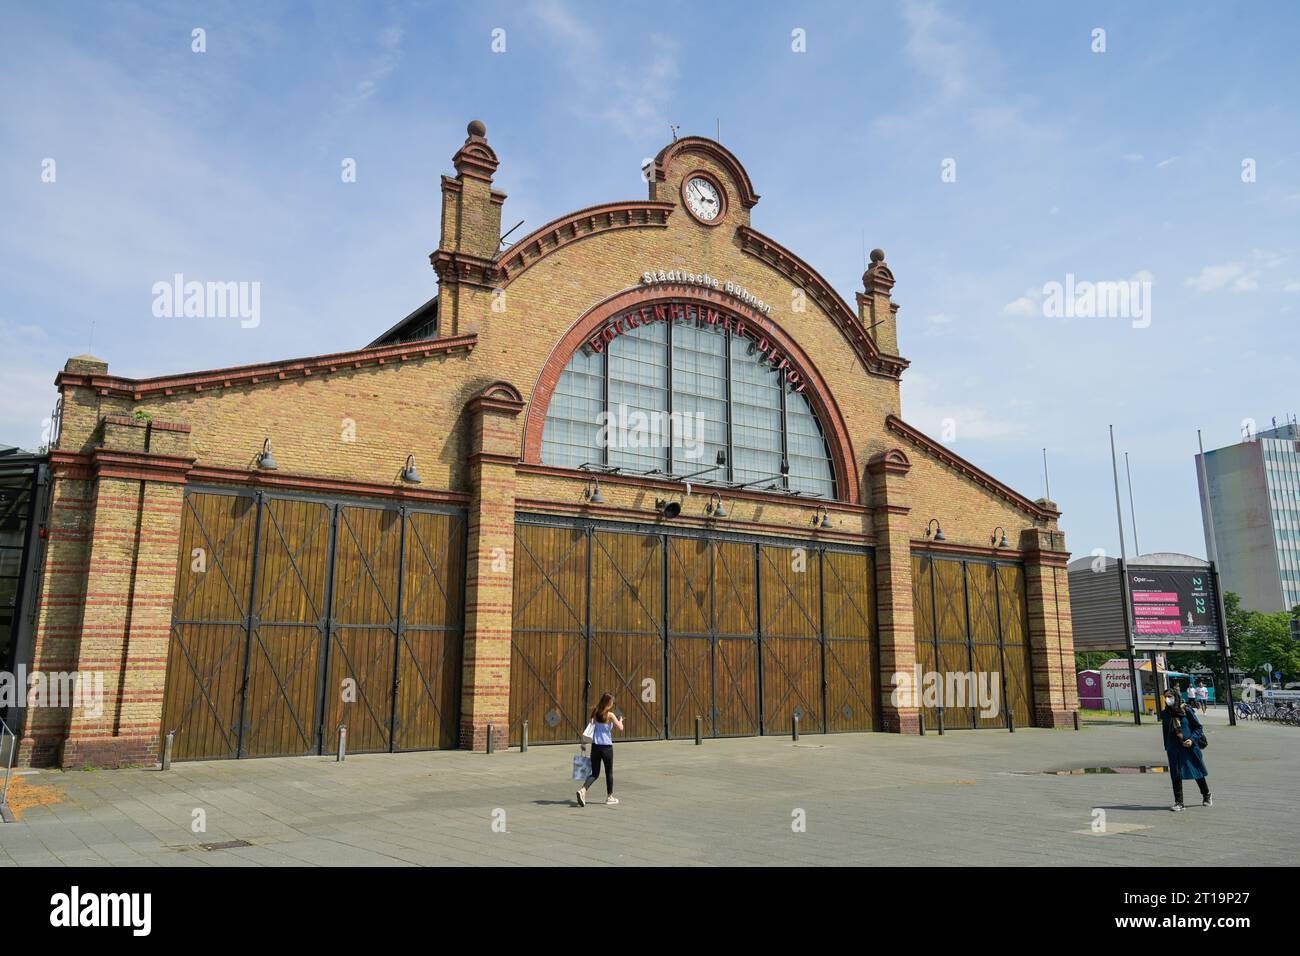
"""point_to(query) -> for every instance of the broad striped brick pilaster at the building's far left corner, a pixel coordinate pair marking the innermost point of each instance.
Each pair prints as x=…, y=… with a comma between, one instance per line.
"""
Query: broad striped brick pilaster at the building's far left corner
x=106, y=605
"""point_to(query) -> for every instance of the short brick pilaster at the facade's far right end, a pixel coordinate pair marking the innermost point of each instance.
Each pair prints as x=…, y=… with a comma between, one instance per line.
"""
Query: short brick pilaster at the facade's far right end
x=1056, y=694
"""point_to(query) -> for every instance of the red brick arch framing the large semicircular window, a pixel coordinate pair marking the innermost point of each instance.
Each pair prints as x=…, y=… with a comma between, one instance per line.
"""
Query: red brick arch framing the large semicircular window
x=818, y=393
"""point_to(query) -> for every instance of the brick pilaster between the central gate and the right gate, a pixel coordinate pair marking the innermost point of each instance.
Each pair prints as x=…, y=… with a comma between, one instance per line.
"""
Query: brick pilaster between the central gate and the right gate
x=891, y=508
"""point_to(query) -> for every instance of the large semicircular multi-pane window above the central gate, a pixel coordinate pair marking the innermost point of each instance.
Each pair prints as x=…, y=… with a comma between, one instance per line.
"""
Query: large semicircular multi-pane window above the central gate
x=675, y=399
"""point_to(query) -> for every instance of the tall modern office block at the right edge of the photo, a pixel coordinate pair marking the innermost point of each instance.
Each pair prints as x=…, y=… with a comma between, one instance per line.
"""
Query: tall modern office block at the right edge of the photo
x=1253, y=490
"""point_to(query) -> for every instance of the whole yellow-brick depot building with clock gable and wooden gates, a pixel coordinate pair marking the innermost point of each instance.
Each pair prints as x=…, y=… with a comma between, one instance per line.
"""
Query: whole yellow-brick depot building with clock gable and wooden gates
x=248, y=557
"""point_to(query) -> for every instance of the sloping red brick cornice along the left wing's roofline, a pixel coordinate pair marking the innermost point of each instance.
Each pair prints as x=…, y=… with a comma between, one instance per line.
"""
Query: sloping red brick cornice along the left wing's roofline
x=137, y=390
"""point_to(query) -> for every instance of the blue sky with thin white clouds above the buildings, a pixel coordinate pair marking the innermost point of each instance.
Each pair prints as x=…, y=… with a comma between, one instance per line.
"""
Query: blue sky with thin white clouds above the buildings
x=1112, y=166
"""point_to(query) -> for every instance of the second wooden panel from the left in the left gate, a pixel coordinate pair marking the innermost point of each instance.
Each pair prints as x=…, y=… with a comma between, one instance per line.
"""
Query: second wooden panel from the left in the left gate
x=291, y=607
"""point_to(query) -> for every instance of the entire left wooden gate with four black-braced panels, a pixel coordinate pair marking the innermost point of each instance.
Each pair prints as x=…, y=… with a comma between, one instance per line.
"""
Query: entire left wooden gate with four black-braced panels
x=297, y=613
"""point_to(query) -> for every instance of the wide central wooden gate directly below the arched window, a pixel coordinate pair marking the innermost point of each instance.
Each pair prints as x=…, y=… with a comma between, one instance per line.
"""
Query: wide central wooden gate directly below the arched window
x=682, y=624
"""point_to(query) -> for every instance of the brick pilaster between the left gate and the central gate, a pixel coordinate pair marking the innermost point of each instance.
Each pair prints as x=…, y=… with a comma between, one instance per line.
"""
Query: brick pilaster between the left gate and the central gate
x=489, y=570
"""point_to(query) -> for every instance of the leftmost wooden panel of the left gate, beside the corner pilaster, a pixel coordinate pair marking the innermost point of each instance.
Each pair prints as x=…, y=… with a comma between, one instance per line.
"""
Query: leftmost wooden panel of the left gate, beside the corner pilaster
x=210, y=628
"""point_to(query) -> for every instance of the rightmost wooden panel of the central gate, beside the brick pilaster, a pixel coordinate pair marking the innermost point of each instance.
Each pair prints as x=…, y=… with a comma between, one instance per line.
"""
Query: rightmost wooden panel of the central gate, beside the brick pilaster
x=853, y=684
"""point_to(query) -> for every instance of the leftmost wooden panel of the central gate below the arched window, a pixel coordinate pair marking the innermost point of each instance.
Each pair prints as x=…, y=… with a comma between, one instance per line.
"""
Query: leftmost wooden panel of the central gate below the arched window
x=548, y=673
